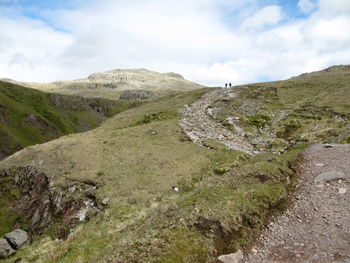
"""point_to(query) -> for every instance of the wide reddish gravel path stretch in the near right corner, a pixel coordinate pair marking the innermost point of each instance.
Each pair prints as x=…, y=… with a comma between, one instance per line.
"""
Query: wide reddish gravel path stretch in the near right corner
x=316, y=228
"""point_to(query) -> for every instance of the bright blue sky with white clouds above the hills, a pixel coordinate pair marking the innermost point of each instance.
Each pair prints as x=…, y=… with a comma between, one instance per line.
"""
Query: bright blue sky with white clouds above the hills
x=208, y=41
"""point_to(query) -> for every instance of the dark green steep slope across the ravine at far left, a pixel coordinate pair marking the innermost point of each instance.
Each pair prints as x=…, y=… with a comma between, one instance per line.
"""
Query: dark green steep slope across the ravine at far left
x=28, y=116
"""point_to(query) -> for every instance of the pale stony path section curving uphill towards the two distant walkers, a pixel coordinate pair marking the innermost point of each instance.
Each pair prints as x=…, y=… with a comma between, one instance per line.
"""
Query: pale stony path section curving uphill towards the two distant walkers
x=198, y=124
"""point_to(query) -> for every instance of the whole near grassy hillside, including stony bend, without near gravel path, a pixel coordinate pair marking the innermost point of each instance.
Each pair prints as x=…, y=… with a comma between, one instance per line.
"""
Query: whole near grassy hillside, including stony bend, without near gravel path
x=124, y=173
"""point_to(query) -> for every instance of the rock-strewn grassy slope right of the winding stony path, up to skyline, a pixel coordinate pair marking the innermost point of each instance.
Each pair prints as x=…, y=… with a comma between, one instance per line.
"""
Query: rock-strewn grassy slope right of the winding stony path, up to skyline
x=313, y=107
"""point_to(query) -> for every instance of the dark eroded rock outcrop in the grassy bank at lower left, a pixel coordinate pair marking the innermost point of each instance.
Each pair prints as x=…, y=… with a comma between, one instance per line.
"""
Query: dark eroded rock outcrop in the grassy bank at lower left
x=40, y=201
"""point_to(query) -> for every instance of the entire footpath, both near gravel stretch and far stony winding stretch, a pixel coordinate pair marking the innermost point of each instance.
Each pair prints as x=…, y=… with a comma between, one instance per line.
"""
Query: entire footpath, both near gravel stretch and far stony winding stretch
x=316, y=227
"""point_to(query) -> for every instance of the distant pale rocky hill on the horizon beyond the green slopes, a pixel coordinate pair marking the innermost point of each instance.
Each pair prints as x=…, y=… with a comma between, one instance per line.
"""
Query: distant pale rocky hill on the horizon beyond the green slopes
x=111, y=83
